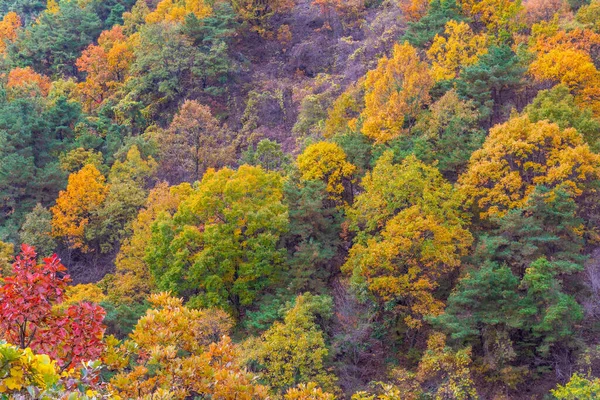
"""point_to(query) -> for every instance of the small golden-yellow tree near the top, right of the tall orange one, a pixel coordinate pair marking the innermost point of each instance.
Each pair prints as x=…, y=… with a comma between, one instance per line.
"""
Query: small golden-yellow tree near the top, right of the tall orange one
x=459, y=47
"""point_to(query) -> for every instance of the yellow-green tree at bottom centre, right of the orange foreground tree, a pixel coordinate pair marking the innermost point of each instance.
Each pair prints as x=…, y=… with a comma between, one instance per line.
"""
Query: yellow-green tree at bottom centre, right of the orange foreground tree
x=285, y=366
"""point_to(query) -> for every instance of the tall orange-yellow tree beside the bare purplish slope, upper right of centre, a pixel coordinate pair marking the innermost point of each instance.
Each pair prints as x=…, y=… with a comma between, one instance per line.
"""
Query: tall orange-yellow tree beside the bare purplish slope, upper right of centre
x=395, y=93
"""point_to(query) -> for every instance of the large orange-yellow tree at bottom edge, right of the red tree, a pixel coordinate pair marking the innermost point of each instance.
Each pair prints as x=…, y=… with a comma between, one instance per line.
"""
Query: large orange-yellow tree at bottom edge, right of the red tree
x=180, y=356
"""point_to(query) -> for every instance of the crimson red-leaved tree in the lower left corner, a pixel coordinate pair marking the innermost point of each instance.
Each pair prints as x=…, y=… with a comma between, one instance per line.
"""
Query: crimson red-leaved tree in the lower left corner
x=28, y=316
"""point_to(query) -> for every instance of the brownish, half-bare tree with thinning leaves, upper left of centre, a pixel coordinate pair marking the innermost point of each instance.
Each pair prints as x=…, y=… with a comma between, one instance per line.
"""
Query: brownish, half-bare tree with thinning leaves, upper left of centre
x=193, y=143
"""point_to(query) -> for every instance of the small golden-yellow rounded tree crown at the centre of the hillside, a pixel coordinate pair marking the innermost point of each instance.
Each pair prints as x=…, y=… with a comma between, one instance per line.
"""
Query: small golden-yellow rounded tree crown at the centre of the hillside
x=327, y=162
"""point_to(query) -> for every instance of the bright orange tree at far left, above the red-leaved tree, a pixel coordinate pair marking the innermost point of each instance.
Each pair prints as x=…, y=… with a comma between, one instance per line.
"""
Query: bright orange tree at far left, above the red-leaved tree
x=75, y=206
